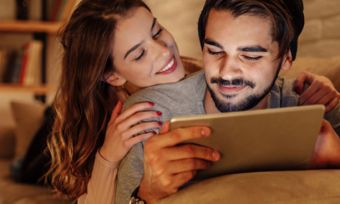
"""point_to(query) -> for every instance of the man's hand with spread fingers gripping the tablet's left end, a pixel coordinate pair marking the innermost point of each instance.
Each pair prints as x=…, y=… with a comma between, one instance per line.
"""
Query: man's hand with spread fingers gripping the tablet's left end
x=168, y=164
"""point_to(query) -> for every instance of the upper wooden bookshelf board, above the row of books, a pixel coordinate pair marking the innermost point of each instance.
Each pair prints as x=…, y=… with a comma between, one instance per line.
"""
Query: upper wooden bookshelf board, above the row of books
x=30, y=26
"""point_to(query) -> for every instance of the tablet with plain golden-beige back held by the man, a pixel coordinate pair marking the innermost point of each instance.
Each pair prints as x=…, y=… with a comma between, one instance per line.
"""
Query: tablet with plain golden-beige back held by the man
x=258, y=140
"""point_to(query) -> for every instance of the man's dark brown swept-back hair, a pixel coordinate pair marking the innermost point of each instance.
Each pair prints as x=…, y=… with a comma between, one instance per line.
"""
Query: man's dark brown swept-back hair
x=286, y=16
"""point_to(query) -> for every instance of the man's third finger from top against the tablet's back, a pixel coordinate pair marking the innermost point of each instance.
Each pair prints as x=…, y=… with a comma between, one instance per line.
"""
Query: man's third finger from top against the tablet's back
x=180, y=166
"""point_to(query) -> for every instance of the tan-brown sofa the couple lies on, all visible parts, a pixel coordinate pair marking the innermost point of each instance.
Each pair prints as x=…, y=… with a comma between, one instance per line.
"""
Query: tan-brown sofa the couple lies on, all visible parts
x=312, y=186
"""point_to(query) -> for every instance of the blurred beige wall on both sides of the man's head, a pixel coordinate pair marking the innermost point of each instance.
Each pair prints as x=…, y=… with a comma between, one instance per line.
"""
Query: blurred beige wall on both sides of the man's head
x=320, y=38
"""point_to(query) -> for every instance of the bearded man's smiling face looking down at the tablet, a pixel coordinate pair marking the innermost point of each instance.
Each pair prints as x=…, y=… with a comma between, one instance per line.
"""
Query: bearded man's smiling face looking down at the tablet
x=240, y=60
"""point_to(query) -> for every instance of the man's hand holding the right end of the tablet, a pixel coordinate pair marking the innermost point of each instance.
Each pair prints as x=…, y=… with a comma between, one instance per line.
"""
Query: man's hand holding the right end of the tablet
x=327, y=148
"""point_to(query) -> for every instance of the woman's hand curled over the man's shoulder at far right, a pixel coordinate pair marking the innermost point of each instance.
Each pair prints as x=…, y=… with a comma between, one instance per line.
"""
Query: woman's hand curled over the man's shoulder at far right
x=320, y=90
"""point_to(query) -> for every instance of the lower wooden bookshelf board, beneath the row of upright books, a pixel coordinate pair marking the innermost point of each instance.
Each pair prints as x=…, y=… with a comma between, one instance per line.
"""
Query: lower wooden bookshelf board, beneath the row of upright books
x=20, y=88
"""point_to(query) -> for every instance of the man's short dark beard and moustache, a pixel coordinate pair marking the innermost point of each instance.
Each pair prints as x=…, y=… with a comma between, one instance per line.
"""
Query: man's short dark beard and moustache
x=249, y=102
